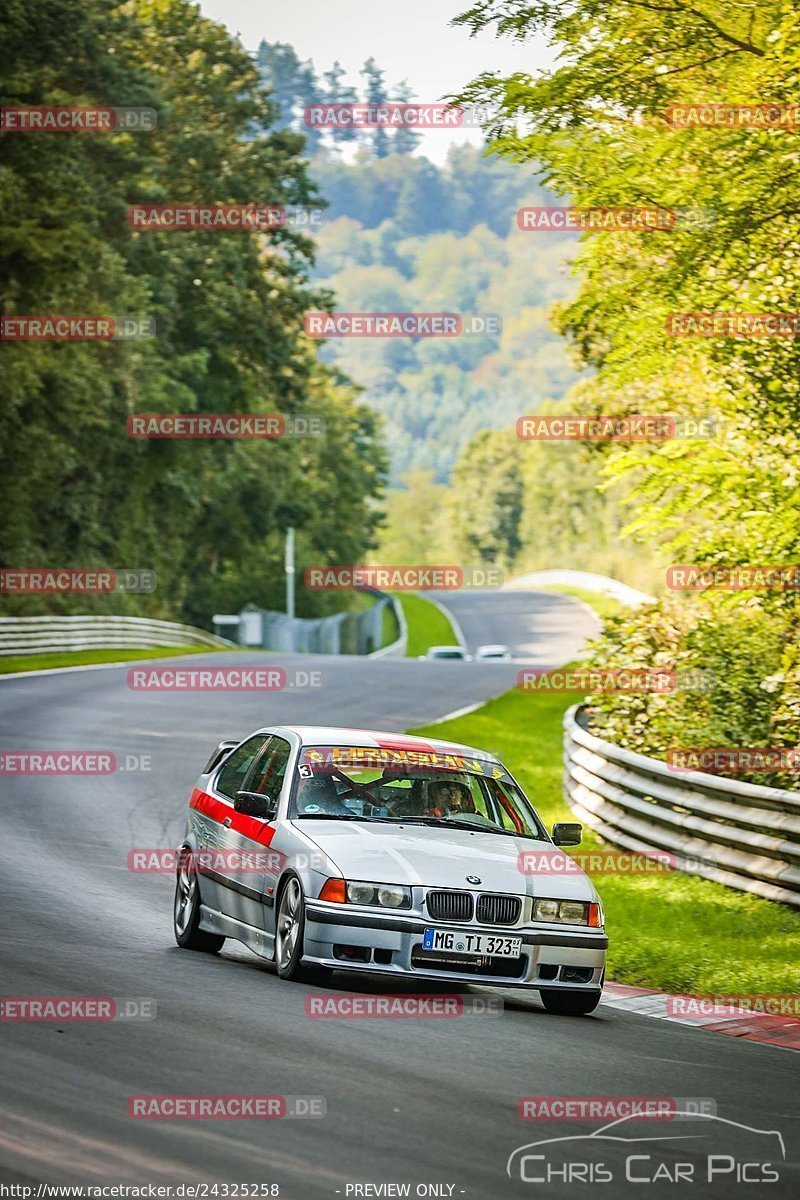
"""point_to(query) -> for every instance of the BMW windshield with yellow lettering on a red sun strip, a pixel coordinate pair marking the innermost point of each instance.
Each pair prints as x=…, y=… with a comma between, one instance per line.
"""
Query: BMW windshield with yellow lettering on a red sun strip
x=422, y=788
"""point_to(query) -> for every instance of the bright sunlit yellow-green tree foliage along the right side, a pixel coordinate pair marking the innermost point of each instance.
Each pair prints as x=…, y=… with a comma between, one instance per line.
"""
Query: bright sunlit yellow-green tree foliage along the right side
x=604, y=130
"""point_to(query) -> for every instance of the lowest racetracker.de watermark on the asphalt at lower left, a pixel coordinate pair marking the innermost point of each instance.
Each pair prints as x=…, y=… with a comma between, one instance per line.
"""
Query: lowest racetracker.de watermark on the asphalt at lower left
x=226, y=1108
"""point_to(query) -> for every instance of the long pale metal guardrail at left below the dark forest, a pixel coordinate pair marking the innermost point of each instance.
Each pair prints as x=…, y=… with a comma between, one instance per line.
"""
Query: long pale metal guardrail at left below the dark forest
x=51, y=635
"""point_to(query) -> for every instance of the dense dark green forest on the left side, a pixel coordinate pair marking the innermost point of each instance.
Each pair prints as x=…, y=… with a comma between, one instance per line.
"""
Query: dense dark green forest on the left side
x=208, y=517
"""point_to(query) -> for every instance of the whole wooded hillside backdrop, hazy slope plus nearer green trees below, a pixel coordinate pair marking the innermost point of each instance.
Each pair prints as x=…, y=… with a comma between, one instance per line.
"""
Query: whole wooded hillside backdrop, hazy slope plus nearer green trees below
x=401, y=233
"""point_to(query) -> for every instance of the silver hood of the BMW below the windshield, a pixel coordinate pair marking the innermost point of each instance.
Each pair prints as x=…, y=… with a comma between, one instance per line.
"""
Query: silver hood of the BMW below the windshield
x=444, y=857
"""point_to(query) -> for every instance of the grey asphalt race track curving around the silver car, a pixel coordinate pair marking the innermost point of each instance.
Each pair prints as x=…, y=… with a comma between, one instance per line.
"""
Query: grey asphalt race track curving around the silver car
x=428, y=1102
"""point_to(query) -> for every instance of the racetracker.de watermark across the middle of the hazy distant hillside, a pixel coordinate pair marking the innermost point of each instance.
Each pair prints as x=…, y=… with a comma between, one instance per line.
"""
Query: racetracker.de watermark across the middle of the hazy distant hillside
x=402, y=325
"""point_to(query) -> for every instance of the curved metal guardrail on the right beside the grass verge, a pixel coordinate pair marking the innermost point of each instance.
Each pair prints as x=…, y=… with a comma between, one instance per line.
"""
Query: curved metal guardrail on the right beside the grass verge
x=744, y=836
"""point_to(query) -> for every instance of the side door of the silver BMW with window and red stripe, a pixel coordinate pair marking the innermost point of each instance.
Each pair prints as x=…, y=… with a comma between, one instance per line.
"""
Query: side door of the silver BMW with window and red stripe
x=238, y=869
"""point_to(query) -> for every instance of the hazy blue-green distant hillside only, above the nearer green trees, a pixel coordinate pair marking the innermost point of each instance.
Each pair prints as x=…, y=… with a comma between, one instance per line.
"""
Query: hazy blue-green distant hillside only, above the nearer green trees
x=402, y=235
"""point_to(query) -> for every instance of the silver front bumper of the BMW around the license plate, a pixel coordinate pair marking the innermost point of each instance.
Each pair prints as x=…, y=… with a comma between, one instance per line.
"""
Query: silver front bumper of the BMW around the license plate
x=356, y=940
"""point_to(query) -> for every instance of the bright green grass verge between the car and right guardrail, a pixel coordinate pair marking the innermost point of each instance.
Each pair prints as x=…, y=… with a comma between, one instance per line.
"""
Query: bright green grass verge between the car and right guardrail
x=670, y=932
